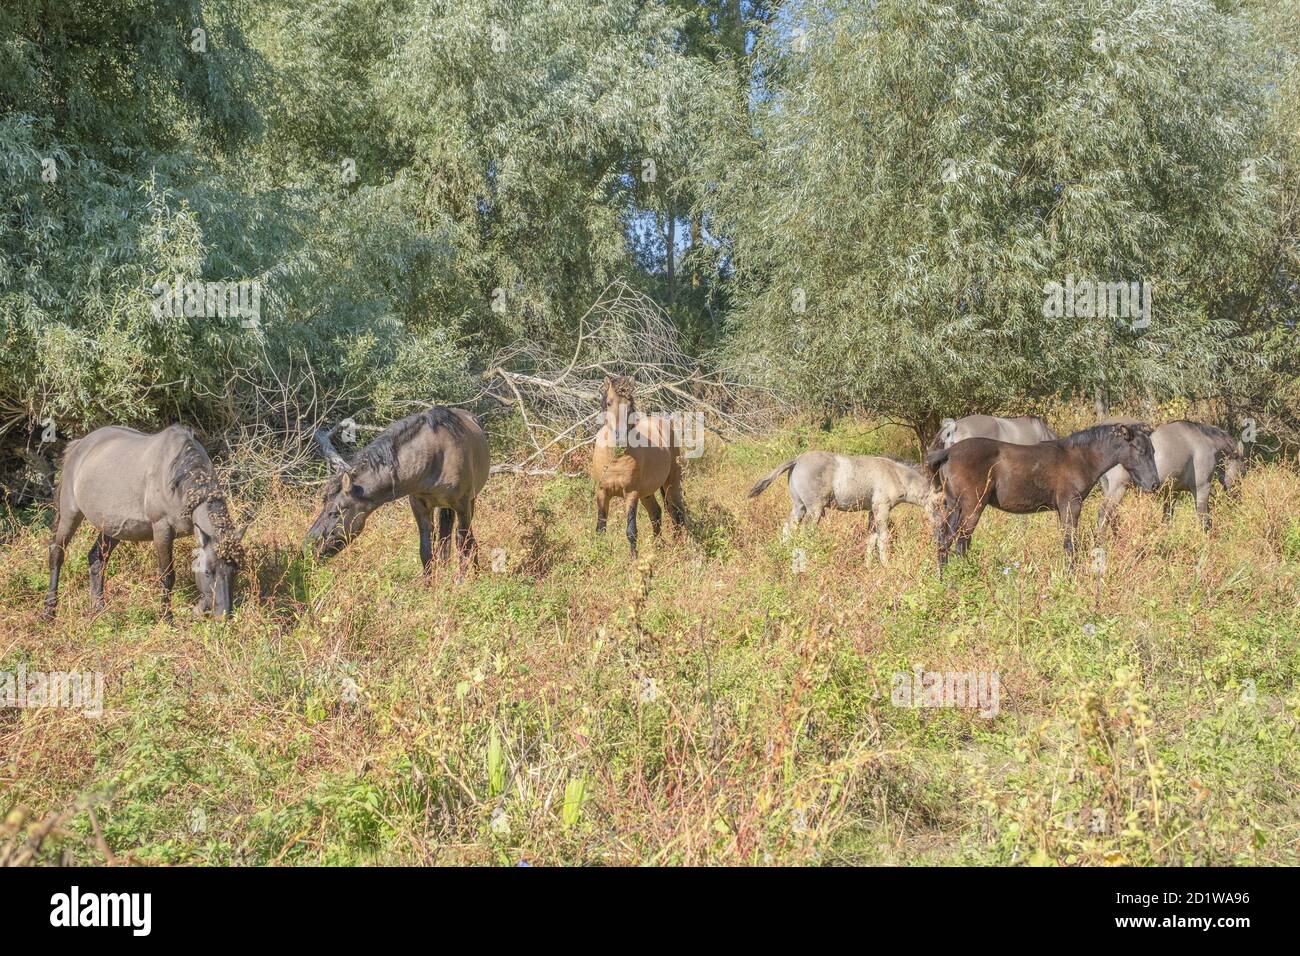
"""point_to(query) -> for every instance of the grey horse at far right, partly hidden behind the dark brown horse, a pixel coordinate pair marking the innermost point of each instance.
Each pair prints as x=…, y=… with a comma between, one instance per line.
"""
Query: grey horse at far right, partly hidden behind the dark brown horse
x=1189, y=457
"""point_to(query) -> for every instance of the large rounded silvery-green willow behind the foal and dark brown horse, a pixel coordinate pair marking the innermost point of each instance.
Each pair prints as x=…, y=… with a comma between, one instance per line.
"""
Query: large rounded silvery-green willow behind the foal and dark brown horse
x=920, y=172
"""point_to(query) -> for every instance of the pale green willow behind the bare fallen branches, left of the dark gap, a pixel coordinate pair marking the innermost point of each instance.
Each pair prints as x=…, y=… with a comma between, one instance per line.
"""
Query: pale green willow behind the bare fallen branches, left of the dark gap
x=522, y=139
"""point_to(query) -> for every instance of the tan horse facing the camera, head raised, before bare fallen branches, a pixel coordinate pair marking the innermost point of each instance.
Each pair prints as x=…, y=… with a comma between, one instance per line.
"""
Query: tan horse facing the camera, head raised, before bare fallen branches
x=635, y=457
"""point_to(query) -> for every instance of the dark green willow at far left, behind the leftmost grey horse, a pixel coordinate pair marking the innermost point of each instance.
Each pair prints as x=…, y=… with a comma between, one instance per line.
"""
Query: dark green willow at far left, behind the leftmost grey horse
x=112, y=118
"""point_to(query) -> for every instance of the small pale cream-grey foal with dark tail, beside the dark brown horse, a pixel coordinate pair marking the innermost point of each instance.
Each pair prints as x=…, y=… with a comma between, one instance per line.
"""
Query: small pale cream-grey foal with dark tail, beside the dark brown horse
x=824, y=481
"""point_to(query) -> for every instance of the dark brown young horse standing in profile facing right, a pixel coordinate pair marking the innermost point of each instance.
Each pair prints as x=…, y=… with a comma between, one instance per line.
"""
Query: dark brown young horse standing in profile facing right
x=1022, y=479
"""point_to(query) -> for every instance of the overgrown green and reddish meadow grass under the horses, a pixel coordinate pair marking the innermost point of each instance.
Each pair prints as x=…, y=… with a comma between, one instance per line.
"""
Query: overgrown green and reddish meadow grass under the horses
x=712, y=704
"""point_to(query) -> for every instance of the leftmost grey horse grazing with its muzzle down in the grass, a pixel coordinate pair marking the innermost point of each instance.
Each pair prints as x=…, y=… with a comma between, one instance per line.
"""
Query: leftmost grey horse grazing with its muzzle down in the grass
x=136, y=487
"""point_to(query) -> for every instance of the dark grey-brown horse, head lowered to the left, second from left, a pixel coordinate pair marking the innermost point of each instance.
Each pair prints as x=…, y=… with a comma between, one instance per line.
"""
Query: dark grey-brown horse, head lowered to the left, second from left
x=439, y=458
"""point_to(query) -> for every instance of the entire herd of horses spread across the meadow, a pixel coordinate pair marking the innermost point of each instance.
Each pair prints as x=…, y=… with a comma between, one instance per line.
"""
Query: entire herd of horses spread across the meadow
x=135, y=487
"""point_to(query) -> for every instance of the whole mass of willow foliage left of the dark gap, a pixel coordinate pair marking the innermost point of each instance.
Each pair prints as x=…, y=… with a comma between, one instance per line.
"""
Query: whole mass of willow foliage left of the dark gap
x=387, y=171
